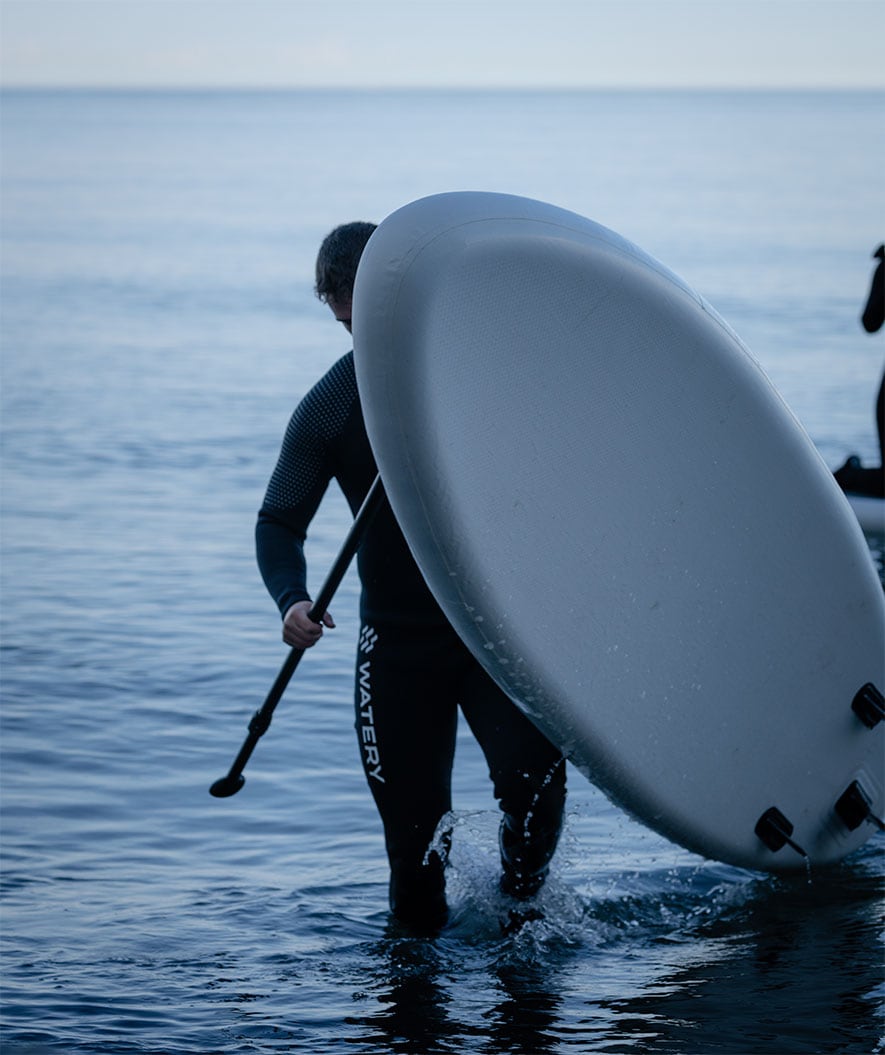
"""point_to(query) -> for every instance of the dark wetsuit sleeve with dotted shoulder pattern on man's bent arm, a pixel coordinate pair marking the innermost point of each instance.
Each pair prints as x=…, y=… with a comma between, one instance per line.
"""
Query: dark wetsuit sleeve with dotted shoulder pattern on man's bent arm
x=305, y=467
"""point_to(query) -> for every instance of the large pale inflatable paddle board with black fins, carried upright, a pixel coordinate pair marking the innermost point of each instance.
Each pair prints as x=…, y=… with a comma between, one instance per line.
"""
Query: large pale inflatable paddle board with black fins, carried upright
x=545, y=402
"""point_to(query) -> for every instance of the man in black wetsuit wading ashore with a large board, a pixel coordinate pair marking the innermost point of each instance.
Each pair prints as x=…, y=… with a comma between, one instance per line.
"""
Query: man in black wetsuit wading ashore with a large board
x=413, y=672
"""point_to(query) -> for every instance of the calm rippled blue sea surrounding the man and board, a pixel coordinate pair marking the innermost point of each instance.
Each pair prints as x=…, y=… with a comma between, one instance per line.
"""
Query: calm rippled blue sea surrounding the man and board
x=158, y=330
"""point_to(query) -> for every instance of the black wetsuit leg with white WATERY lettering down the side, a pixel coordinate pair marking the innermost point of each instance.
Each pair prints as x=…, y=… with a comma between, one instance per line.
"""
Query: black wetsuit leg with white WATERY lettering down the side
x=407, y=723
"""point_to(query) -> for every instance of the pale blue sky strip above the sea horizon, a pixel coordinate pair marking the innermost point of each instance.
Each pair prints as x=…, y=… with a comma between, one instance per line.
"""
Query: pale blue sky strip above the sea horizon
x=444, y=43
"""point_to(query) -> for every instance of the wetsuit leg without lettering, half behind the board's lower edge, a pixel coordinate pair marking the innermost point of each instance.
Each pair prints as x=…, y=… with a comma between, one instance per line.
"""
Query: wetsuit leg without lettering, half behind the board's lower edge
x=529, y=776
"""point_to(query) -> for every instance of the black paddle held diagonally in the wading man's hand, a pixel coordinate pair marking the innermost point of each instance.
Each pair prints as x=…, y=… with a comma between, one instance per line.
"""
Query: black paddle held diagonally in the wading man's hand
x=261, y=720
